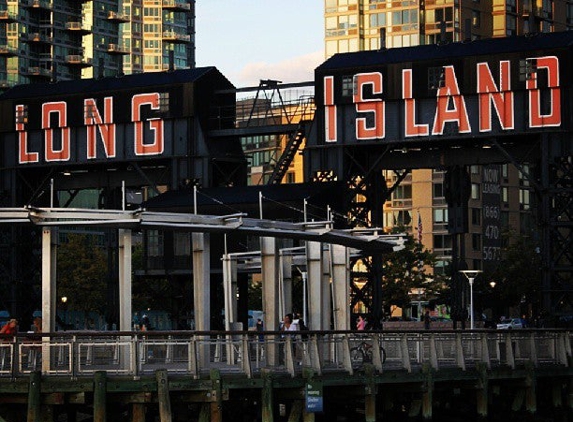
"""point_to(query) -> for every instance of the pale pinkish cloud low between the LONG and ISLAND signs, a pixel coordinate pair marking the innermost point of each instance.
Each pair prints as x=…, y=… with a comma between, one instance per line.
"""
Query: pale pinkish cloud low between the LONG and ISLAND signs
x=296, y=69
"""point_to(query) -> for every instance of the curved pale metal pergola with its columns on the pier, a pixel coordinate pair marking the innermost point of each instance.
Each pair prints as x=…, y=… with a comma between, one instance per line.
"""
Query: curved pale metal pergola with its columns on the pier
x=314, y=233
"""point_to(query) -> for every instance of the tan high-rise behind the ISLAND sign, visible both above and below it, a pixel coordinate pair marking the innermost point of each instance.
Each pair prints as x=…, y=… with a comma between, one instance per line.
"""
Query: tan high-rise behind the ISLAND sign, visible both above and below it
x=419, y=202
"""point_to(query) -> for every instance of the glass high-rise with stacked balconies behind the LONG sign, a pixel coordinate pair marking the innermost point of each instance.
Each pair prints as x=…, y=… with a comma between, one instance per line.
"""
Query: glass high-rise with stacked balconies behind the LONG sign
x=53, y=40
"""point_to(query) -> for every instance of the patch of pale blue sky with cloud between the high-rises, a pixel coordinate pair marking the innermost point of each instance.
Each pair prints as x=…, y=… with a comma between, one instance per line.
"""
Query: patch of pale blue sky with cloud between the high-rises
x=250, y=40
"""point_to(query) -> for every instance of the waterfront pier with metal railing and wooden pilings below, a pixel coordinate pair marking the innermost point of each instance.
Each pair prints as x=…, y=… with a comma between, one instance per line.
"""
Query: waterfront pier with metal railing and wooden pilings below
x=207, y=376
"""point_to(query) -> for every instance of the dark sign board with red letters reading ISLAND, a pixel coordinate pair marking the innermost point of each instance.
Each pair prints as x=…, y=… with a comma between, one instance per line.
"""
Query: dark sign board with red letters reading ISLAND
x=432, y=92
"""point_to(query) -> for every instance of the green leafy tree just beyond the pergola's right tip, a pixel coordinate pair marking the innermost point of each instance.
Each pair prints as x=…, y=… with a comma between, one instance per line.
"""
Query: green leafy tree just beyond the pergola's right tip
x=406, y=270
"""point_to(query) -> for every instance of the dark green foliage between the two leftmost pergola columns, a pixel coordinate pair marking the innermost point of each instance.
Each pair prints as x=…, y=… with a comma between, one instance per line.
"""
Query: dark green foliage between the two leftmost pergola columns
x=82, y=273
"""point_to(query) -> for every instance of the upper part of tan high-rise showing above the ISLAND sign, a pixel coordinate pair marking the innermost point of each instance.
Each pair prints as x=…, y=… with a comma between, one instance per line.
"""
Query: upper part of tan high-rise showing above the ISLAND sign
x=354, y=25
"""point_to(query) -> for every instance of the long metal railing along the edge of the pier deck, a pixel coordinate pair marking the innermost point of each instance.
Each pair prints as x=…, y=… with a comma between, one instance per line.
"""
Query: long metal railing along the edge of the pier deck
x=76, y=354
